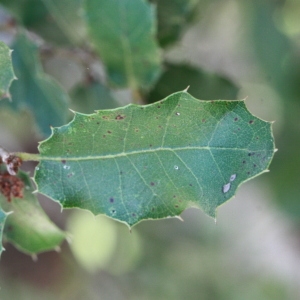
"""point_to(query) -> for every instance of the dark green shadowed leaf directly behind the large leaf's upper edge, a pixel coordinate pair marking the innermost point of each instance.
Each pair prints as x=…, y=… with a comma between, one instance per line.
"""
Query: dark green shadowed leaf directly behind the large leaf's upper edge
x=203, y=85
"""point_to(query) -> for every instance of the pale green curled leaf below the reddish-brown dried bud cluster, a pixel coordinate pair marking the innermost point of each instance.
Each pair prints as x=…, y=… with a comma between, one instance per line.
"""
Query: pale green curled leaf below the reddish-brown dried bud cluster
x=28, y=228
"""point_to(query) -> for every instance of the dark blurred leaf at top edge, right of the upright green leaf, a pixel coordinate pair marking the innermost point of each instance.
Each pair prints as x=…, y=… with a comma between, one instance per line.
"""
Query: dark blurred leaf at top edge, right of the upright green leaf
x=173, y=17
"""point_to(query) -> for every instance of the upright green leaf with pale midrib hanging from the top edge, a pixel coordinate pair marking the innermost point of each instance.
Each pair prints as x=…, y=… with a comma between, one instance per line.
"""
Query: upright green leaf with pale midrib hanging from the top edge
x=123, y=34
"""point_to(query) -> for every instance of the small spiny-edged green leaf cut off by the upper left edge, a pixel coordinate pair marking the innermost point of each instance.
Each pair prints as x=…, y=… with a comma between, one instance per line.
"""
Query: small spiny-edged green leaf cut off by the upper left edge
x=7, y=73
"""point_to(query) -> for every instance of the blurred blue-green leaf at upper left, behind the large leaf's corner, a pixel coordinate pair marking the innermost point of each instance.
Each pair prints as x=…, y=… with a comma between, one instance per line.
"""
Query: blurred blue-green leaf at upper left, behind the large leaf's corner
x=34, y=90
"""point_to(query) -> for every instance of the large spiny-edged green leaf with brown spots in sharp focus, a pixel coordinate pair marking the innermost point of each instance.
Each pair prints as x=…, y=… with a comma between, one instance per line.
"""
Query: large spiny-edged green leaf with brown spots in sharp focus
x=154, y=161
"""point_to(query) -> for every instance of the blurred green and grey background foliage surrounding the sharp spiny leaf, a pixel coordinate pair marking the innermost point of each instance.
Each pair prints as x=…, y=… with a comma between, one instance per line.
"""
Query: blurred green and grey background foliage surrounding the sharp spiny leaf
x=227, y=49
